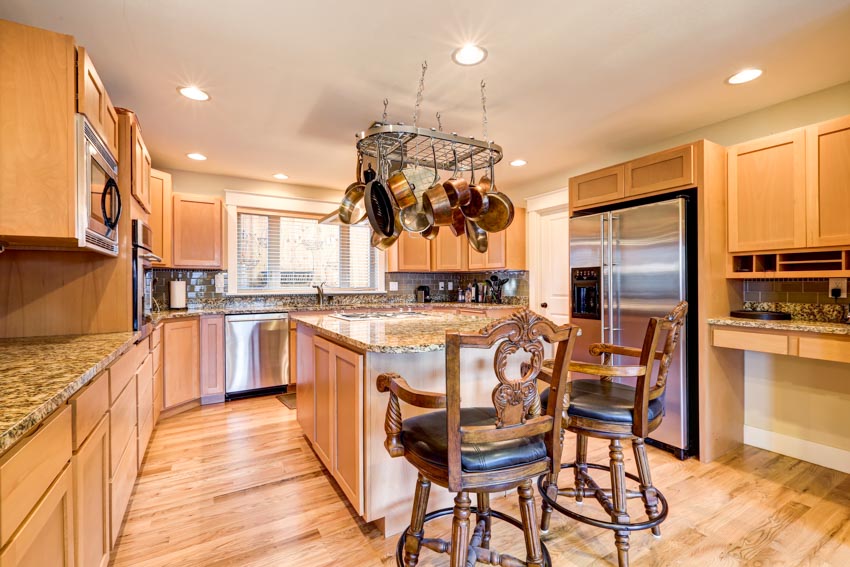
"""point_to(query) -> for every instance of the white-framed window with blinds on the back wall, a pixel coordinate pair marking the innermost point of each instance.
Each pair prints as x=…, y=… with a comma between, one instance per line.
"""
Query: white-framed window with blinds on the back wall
x=288, y=254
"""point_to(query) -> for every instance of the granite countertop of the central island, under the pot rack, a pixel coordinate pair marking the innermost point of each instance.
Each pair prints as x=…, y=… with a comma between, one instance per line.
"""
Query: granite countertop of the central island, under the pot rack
x=421, y=334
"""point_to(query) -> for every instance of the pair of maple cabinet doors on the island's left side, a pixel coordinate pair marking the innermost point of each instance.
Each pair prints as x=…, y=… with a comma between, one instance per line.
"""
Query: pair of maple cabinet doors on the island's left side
x=338, y=374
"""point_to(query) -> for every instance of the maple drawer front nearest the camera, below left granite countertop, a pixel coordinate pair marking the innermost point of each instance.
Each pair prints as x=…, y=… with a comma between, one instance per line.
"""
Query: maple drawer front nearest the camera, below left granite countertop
x=28, y=469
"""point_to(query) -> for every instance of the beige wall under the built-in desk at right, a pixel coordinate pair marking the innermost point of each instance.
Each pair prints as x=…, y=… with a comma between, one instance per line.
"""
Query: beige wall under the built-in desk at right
x=800, y=398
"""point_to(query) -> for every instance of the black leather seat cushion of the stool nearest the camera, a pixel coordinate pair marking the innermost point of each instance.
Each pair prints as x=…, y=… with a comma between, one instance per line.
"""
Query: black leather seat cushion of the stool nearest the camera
x=425, y=436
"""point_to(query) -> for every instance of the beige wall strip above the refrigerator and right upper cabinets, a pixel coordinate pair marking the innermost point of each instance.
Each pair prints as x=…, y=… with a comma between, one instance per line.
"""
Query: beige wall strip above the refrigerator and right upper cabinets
x=815, y=107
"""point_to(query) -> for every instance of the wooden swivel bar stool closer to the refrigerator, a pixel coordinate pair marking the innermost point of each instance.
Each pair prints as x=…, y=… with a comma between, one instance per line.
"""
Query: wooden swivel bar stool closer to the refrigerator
x=609, y=410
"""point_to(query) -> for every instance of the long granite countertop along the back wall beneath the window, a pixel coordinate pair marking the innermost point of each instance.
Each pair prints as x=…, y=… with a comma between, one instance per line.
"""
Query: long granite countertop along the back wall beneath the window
x=195, y=312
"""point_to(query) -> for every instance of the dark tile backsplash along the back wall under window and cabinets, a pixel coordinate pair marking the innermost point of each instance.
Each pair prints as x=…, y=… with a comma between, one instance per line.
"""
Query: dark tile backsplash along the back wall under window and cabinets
x=200, y=288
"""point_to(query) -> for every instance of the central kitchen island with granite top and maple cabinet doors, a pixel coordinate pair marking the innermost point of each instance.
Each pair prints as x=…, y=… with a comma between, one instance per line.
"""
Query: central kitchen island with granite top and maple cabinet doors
x=342, y=413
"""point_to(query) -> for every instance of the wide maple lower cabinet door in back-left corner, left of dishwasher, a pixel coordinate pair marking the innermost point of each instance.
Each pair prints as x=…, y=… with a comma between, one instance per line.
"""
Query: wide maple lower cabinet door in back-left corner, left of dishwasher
x=181, y=347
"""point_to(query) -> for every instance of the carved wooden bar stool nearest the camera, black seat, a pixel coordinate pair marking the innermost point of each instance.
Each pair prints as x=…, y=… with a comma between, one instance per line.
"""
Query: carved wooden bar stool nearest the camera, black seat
x=482, y=449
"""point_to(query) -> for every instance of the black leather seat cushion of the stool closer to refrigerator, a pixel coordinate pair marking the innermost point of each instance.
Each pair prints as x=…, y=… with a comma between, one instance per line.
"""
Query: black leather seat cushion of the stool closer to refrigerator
x=605, y=401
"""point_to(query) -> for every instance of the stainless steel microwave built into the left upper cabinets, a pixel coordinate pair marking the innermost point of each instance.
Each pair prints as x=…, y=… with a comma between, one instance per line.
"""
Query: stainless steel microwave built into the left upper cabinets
x=98, y=197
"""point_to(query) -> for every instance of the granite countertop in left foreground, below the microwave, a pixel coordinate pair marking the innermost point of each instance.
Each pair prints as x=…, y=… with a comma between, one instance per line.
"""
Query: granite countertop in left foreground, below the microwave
x=38, y=374
